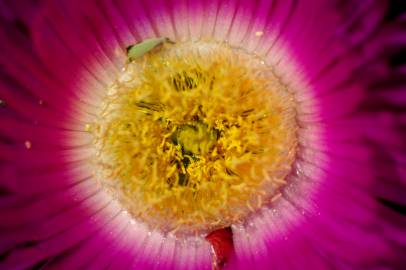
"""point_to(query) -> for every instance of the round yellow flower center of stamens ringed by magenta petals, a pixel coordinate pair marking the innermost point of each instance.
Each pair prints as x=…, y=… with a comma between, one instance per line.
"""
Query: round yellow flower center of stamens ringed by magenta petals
x=195, y=137
